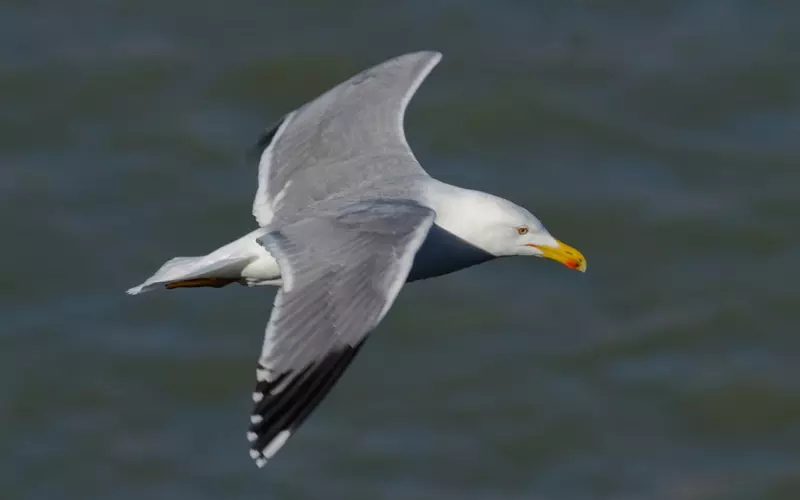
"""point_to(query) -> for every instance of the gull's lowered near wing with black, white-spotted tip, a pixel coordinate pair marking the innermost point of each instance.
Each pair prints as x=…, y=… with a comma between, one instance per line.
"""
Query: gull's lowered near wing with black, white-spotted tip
x=341, y=271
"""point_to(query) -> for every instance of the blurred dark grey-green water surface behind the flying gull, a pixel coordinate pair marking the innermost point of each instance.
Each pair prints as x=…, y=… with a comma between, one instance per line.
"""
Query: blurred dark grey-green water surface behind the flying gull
x=660, y=138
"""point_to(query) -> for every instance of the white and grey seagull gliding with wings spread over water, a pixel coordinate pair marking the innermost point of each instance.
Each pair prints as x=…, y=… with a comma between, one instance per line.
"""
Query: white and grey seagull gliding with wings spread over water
x=346, y=216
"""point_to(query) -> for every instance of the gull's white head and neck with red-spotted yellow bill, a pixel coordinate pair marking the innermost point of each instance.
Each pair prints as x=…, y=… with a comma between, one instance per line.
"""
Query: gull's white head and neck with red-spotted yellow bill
x=500, y=227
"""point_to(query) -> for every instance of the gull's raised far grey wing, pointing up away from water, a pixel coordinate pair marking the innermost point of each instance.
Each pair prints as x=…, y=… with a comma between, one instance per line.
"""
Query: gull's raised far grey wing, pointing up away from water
x=349, y=137
